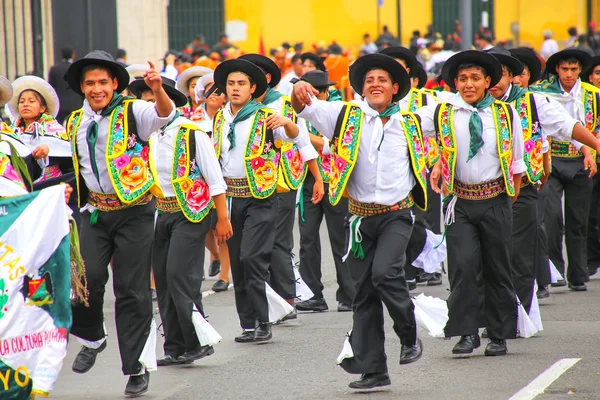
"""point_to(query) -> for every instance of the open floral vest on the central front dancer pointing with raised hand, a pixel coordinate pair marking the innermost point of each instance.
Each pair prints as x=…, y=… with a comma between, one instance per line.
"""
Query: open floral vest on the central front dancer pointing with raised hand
x=345, y=144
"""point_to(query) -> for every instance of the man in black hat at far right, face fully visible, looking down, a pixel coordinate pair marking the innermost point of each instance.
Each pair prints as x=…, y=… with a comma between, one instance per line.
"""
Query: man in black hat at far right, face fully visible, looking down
x=570, y=167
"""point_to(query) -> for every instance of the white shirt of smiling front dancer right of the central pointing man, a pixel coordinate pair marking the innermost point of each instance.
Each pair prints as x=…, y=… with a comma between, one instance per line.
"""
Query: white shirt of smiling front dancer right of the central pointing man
x=485, y=165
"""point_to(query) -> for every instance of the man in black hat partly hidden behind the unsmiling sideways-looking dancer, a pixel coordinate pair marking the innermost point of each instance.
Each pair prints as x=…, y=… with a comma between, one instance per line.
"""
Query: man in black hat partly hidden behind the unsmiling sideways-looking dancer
x=293, y=170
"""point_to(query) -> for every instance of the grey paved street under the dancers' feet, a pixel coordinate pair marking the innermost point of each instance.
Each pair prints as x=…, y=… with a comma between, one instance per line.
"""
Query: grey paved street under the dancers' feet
x=300, y=361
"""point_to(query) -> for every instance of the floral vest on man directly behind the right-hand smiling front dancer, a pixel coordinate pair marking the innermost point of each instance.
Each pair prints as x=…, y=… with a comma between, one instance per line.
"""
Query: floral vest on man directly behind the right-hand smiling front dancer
x=532, y=136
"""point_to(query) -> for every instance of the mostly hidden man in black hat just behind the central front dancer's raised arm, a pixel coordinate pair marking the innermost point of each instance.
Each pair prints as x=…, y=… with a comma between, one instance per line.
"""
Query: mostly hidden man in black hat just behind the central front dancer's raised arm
x=310, y=216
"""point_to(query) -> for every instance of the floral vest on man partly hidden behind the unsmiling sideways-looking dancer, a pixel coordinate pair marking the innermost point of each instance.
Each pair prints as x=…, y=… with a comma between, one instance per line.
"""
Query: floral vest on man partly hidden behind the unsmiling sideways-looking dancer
x=293, y=169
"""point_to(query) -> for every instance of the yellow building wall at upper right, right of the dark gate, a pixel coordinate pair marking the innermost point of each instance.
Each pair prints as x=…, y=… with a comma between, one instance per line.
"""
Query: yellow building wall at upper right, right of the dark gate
x=535, y=17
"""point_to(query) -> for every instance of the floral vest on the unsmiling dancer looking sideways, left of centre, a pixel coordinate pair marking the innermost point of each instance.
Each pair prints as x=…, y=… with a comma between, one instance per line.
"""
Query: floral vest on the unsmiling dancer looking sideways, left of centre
x=261, y=158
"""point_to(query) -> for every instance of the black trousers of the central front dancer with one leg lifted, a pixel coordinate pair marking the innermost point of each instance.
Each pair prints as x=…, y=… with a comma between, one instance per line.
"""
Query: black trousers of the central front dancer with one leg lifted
x=380, y=280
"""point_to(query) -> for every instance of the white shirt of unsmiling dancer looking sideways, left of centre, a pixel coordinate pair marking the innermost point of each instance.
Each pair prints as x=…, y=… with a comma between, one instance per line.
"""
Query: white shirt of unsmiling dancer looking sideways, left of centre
x=232, y=160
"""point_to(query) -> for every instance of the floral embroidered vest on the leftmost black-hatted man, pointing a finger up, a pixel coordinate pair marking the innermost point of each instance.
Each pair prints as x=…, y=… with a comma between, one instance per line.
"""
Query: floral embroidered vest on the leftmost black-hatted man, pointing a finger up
x=126, y=154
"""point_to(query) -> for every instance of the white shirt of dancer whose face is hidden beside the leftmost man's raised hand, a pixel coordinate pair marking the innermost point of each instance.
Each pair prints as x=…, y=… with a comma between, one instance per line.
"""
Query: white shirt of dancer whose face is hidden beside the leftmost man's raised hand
x=163, y=143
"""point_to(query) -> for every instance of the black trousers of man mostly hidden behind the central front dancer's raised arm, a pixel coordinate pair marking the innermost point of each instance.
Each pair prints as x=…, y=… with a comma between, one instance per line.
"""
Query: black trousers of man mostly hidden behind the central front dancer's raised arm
x=309, y=222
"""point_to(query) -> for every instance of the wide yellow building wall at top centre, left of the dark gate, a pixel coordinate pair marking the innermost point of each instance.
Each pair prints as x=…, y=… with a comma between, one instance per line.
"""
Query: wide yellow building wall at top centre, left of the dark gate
x=312, y=21
